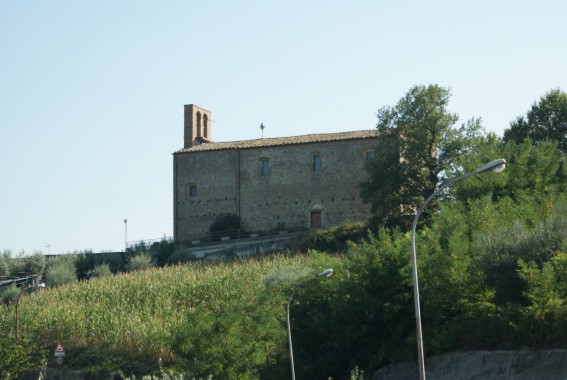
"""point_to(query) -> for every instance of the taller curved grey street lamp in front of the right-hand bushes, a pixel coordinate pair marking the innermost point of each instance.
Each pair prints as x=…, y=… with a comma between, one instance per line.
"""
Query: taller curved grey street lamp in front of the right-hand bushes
x=496, y=166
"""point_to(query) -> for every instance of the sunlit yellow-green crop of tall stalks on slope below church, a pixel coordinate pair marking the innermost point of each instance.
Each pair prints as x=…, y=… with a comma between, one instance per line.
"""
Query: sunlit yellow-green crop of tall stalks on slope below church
x=140, y=313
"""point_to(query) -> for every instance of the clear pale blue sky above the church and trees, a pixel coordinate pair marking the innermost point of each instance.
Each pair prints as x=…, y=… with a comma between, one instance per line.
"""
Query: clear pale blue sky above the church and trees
x=92, y=92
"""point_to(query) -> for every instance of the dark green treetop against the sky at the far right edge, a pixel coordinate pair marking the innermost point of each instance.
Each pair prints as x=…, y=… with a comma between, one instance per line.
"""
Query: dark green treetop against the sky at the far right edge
x=546, y=120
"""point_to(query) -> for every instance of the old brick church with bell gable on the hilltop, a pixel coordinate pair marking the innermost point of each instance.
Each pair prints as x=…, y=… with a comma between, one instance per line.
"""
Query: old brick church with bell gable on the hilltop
x=308, y=181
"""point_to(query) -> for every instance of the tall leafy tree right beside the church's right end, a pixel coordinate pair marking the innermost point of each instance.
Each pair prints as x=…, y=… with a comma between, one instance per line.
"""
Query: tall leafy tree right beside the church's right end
x=418, y=144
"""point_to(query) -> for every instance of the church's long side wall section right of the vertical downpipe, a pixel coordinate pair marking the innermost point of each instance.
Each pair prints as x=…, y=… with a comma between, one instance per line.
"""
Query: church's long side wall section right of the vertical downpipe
x=293, y=189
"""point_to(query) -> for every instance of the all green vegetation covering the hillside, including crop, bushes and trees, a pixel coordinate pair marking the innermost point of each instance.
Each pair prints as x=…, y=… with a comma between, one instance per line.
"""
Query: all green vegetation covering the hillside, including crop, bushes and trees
x=491, y=254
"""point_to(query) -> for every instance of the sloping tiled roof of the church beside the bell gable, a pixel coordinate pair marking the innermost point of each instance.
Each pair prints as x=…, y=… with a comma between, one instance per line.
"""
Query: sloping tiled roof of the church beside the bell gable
x=279, y=141
